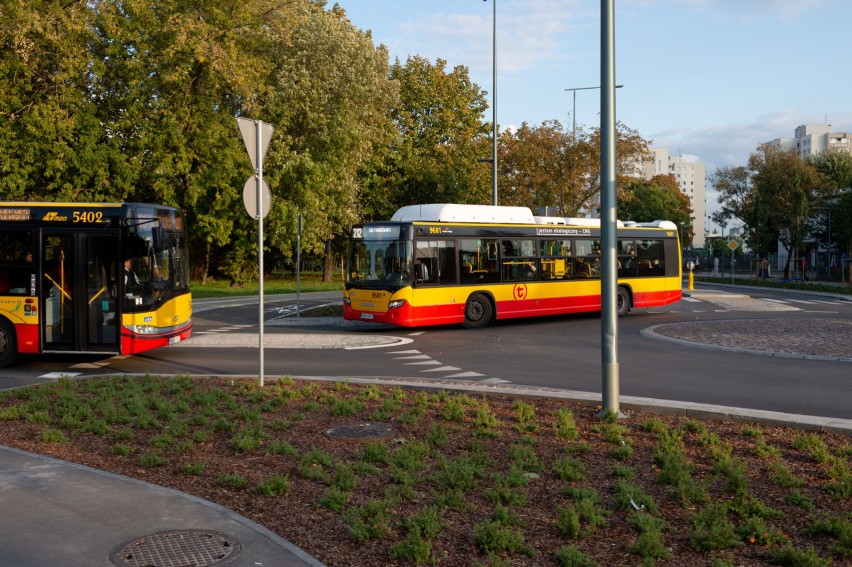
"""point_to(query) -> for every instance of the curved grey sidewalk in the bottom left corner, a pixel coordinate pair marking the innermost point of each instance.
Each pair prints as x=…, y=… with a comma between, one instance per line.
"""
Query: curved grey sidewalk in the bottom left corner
x=66, y=515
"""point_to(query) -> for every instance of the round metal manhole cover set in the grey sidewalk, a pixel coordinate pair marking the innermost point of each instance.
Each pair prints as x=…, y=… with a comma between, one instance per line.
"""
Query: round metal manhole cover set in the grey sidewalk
x=176, y=549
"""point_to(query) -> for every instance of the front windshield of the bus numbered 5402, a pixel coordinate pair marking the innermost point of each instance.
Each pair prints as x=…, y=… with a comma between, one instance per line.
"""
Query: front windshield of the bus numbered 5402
x=156, y=263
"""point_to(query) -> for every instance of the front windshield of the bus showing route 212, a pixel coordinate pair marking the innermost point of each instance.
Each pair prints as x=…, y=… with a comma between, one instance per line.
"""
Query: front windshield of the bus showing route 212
x=379, y=263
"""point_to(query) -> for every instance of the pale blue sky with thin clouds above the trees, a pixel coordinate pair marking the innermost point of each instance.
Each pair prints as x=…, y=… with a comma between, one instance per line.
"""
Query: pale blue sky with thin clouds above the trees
x=710, y=80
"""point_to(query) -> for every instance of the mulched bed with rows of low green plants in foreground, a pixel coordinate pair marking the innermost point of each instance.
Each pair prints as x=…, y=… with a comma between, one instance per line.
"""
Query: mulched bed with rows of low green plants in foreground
x=490, y=478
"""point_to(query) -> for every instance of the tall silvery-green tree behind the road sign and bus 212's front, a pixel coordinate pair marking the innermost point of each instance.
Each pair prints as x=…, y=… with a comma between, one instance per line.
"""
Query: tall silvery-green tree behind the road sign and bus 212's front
x=331, y=101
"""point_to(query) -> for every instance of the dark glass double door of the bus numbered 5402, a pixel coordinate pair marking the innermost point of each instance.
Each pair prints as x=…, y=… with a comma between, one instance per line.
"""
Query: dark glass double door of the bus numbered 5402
x=79, y=287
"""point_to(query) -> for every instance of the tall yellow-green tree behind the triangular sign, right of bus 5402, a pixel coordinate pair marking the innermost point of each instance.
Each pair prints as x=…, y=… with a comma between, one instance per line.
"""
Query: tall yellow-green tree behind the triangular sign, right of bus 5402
x=169, y=79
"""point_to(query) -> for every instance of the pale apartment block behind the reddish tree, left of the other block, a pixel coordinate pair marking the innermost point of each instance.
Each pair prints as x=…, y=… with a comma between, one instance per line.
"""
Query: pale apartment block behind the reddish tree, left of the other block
x=691, y=177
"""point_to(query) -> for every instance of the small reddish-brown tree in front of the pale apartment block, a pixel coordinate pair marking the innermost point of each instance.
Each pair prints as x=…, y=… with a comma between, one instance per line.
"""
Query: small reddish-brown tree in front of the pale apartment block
x=659, y=198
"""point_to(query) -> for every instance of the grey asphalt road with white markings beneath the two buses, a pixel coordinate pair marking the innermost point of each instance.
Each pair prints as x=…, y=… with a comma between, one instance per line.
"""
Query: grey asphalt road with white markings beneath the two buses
x=558, y=352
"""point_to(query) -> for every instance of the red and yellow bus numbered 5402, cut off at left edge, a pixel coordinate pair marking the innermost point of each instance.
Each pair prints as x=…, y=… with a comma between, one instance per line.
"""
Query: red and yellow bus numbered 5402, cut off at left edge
x=109, y=278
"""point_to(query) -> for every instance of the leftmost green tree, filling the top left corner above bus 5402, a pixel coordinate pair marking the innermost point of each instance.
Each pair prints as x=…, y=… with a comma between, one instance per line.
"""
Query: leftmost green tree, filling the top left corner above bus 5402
x=52, y=145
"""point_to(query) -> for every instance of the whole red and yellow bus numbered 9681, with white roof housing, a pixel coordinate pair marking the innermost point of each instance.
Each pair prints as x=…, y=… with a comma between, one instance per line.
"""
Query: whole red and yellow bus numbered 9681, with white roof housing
x=442, y=264
